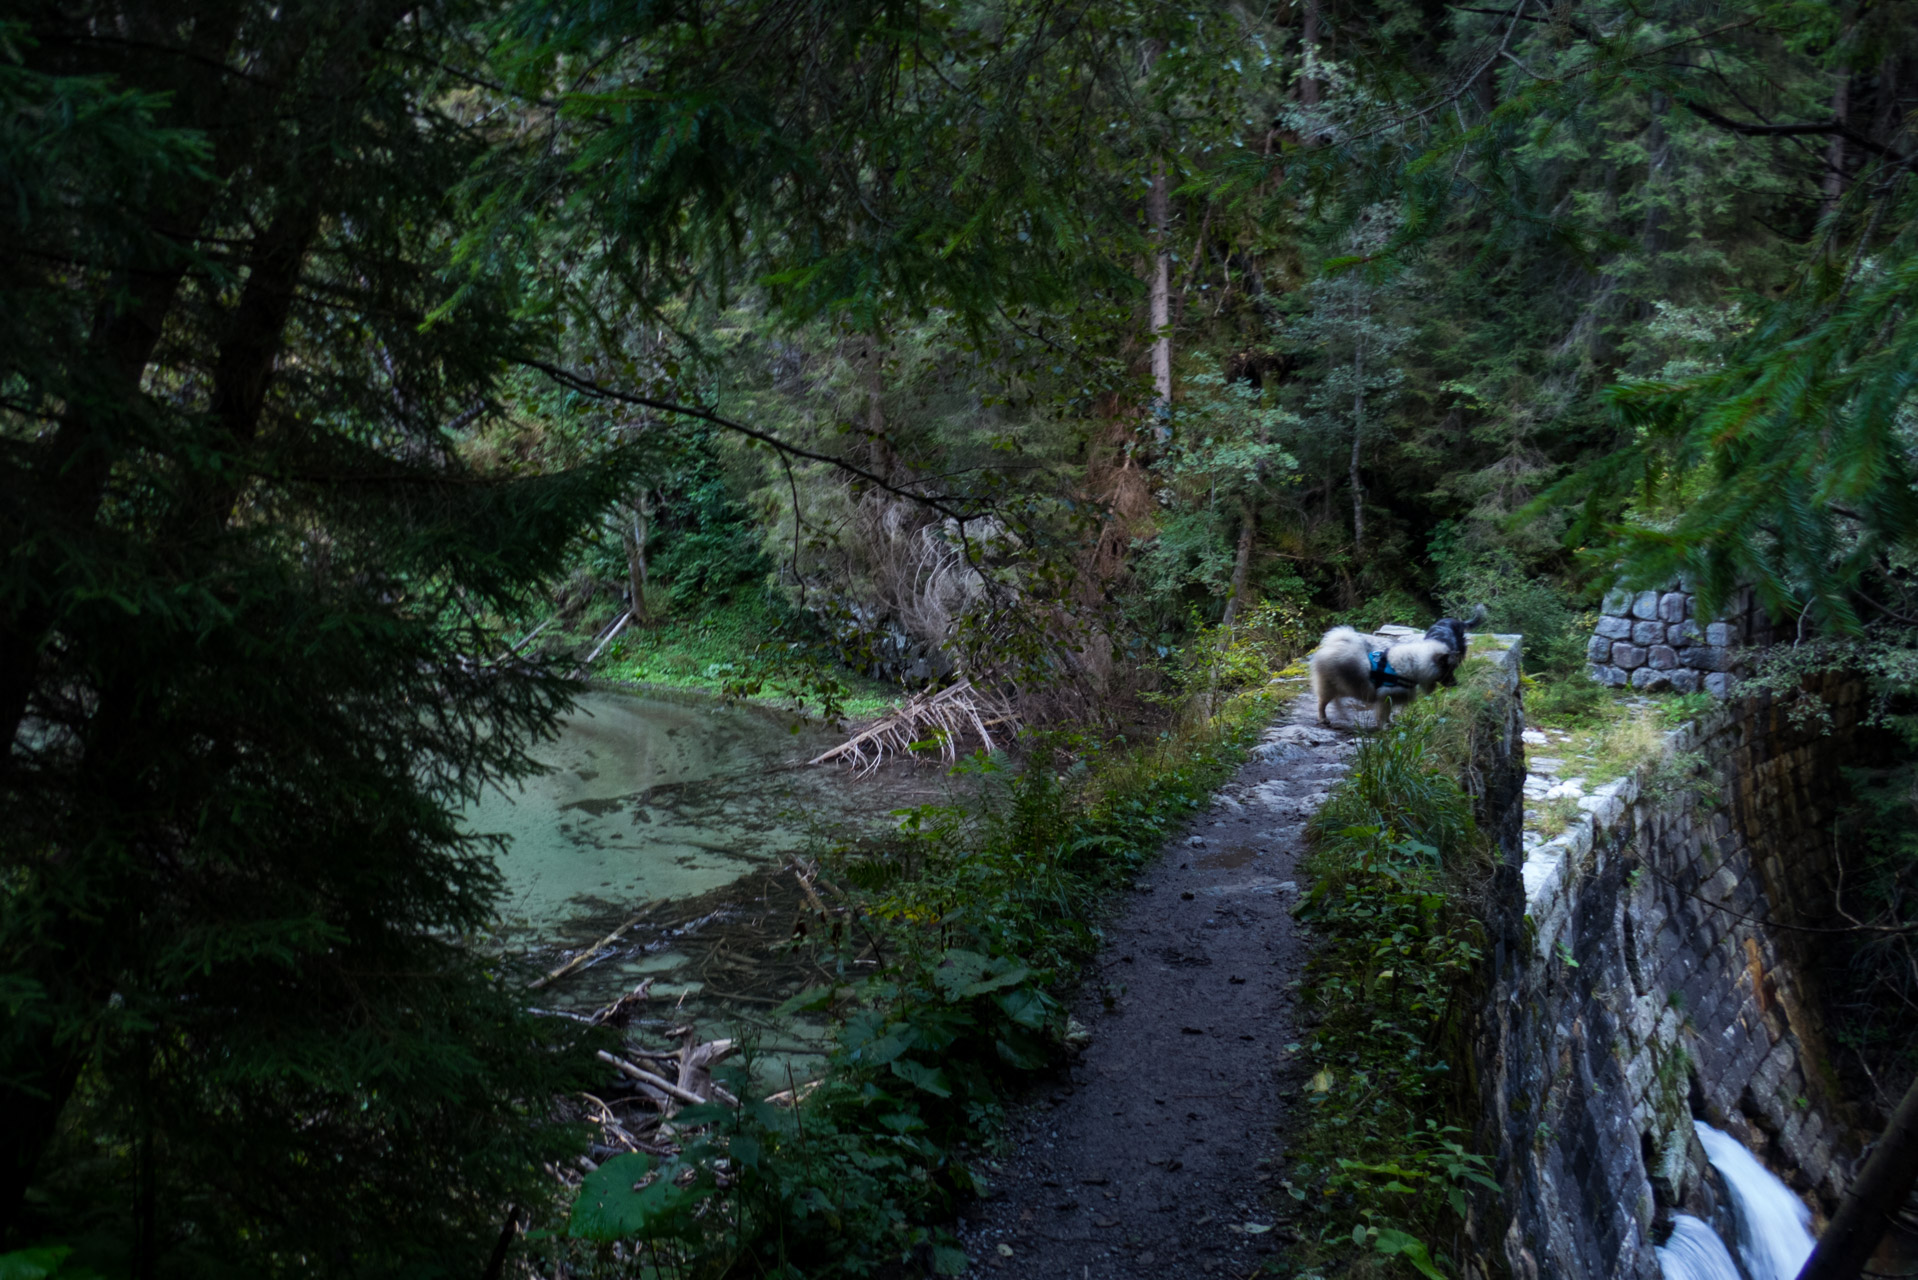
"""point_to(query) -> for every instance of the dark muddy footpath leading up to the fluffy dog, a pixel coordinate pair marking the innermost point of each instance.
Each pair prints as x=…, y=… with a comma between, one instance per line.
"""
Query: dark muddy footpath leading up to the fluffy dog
x=1159, y=1150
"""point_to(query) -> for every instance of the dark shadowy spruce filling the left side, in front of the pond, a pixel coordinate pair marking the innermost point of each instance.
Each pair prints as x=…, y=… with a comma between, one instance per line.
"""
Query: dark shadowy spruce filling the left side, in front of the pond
x=245, y=680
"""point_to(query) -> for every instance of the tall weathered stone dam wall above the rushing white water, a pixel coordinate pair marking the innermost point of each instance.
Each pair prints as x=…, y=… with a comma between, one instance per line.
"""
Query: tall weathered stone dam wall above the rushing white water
x=1633, y=985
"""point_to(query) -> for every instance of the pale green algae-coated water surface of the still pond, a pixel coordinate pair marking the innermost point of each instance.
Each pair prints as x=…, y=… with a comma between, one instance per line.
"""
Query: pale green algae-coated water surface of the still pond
x=667, y=795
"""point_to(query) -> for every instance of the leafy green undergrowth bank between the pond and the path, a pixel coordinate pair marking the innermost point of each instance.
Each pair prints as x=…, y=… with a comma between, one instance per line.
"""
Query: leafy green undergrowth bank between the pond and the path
x=948, y=957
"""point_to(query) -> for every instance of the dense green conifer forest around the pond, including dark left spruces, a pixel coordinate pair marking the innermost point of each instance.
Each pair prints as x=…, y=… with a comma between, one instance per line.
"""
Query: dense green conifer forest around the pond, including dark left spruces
x=344, y=344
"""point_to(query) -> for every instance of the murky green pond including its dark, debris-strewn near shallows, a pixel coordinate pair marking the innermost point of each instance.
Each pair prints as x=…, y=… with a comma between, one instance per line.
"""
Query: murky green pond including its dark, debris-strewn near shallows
x=684, y=811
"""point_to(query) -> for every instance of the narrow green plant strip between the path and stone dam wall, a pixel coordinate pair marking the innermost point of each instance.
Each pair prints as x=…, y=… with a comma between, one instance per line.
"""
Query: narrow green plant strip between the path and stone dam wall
x=1382, y=1172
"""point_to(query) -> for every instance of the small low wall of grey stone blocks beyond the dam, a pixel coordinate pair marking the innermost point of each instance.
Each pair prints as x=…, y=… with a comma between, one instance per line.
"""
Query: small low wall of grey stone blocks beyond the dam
x=1654, y=640
